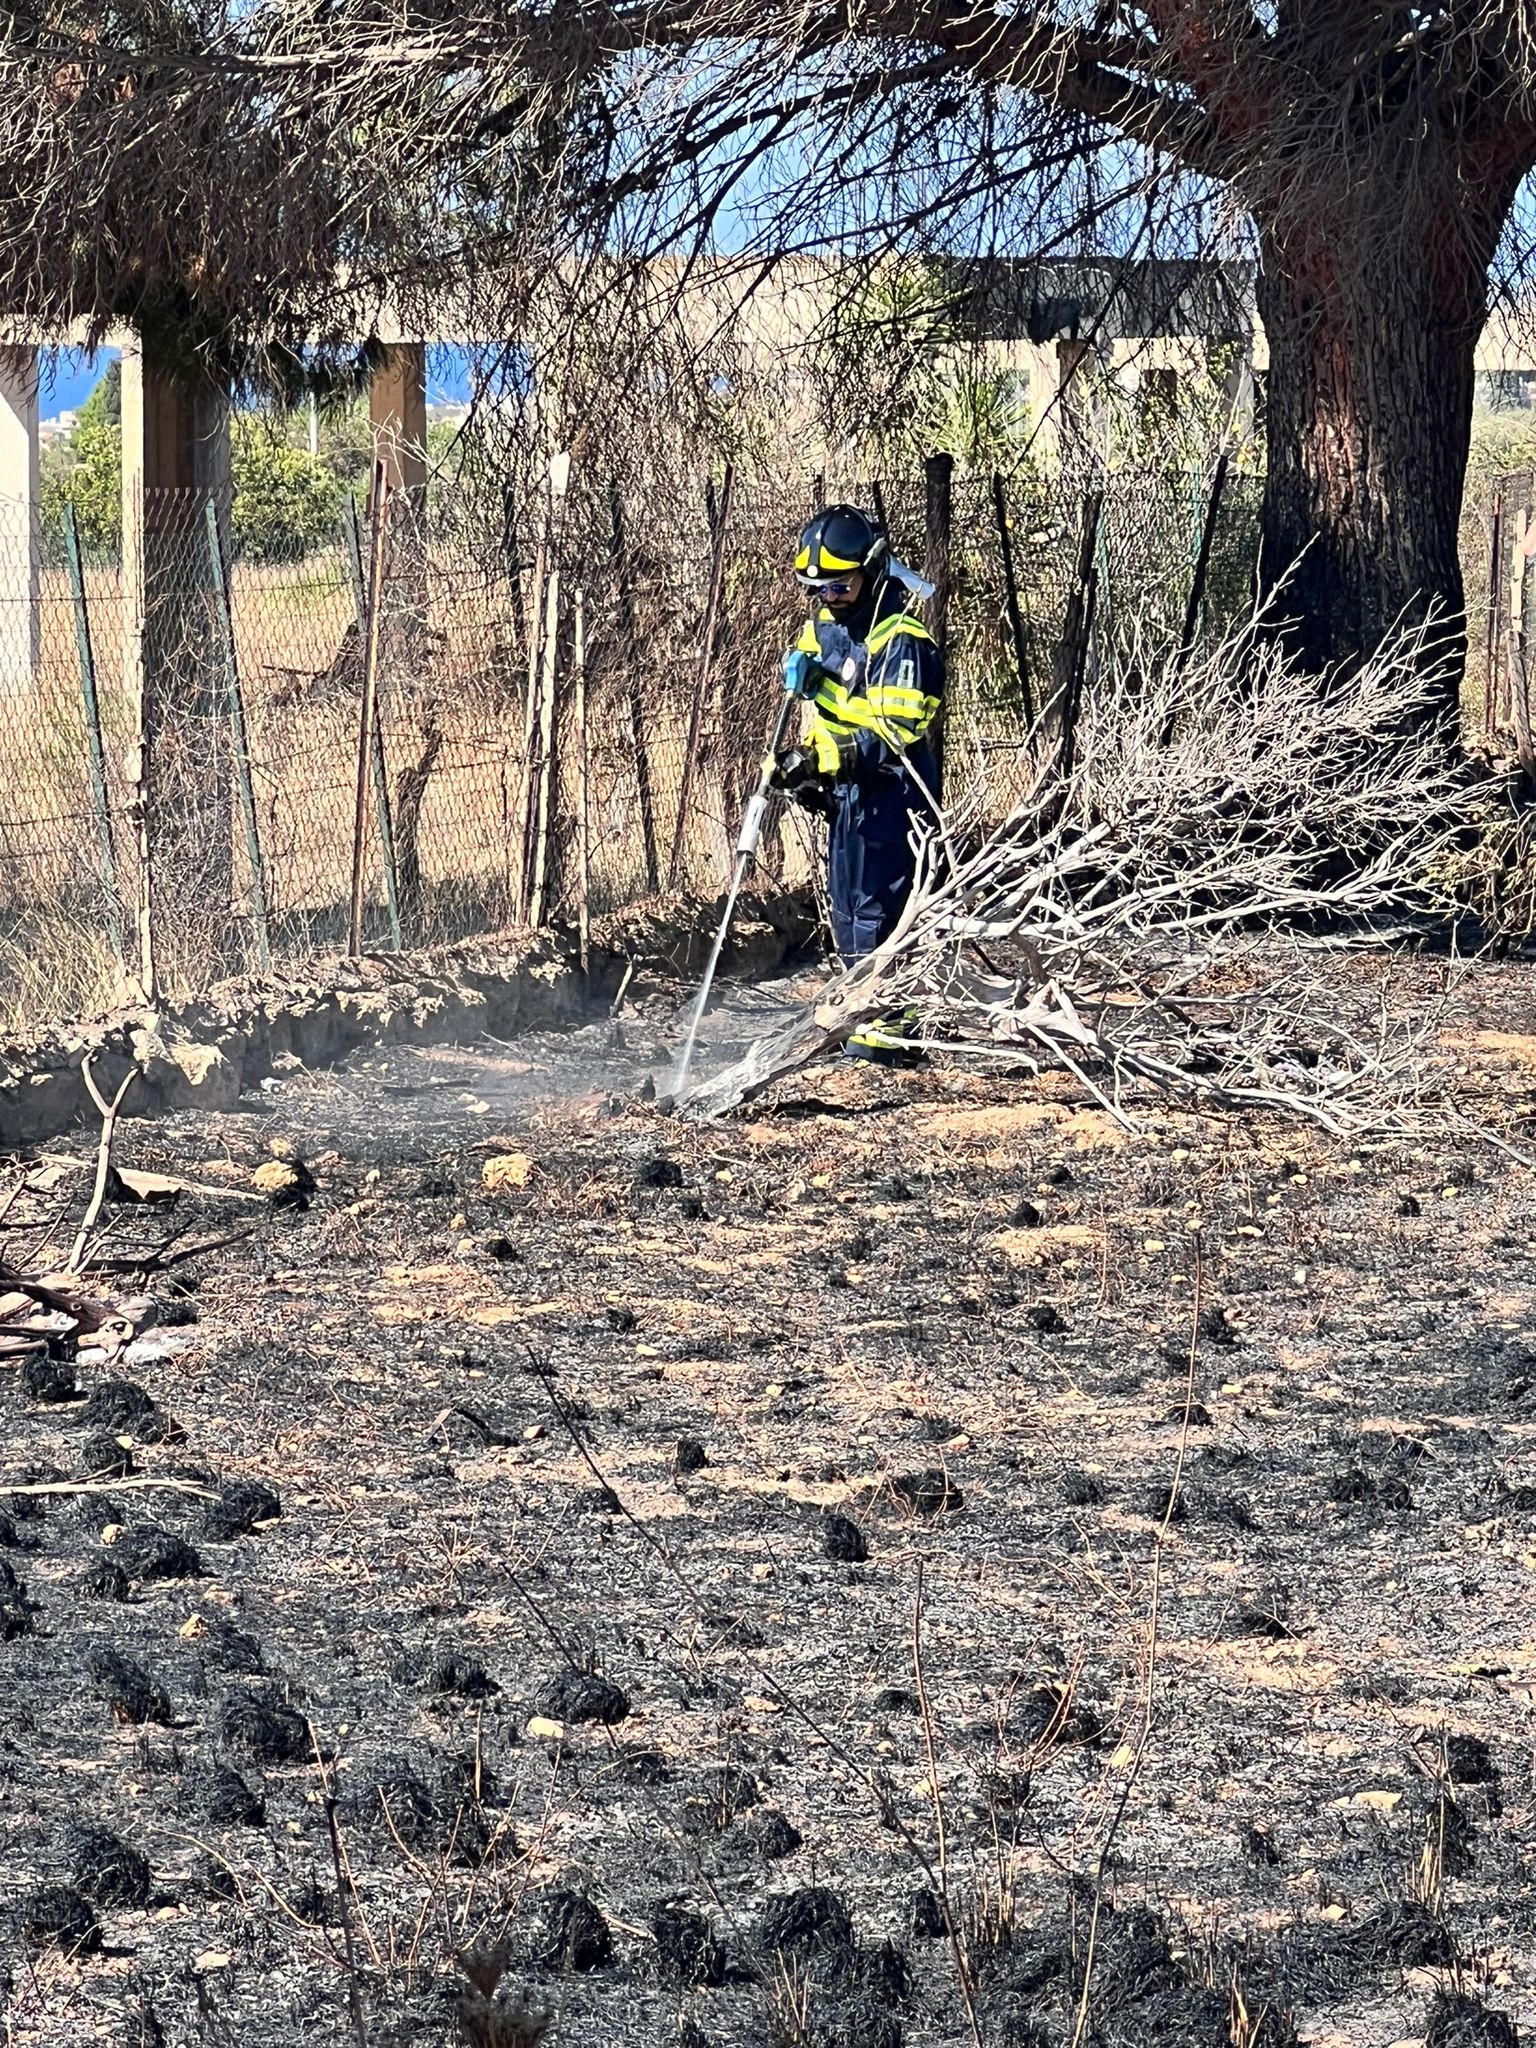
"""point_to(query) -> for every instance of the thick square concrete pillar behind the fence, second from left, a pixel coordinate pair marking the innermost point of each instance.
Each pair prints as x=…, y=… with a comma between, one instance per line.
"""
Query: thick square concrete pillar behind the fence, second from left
x=177, y=464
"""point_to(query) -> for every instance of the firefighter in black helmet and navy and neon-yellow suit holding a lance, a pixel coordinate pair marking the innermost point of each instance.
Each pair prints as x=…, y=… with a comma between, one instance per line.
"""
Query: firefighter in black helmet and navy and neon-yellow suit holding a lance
x=873, y=681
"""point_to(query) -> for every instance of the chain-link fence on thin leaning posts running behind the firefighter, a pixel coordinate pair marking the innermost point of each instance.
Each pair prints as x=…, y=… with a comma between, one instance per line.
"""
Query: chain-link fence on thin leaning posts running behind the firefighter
x=570, y=695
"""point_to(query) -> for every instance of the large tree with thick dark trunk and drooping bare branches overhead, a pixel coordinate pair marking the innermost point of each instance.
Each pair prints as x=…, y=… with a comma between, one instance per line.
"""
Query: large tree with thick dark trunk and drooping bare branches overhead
x=234, y=163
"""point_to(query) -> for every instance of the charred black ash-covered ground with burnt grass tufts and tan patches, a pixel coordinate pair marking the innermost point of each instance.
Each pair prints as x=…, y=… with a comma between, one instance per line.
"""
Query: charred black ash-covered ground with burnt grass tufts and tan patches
x=728, y=1574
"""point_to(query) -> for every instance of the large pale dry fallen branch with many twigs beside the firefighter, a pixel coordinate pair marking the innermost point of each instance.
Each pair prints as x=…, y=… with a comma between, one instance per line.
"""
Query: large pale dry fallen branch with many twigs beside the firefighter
x=1152, y=927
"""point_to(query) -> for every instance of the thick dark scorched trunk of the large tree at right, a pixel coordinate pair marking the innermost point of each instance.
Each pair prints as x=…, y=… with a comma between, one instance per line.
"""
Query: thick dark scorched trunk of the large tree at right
x=1373, y=302
